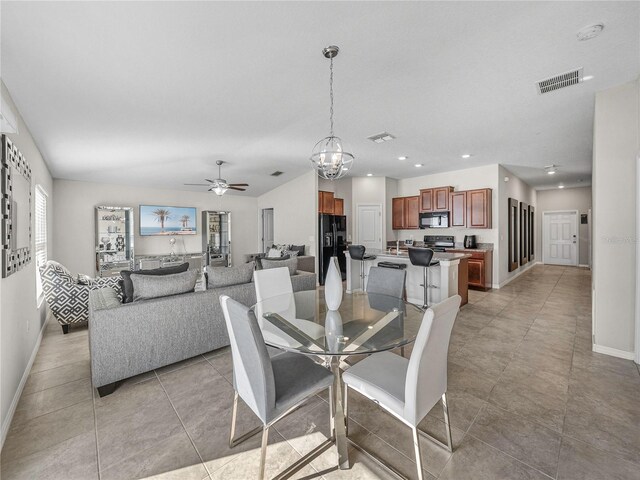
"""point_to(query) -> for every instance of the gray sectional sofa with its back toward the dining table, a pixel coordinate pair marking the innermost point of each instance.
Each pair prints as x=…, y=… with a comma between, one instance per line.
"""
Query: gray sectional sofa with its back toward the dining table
x=133, y=338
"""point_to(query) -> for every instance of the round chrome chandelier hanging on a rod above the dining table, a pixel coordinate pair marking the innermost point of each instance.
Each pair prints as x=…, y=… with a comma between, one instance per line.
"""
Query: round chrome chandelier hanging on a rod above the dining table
x=328, y=156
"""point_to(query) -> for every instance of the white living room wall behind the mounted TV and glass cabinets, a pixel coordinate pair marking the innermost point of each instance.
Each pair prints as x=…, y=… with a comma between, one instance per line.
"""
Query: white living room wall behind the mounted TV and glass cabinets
x=74, y=229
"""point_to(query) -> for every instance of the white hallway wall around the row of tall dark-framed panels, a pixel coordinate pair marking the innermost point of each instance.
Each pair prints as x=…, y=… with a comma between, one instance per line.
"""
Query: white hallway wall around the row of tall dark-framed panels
x=518, y=190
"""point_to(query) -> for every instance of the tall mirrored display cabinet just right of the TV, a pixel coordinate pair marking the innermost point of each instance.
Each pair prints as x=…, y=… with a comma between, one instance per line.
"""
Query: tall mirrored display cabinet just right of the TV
x=216, y=238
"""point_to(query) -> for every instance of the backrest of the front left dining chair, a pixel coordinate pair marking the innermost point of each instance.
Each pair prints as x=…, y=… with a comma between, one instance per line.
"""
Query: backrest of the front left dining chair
x=252, y=371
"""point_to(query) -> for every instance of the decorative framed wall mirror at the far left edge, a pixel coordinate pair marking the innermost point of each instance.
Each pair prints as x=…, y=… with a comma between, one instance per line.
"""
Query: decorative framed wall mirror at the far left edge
x=16, y=209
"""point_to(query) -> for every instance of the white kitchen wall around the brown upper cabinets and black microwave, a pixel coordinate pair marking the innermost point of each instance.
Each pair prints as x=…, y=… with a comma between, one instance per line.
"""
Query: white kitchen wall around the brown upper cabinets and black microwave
x=468, y=179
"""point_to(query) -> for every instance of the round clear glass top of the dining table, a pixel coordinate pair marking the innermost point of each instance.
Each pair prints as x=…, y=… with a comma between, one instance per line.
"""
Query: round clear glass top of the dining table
x=364, y=323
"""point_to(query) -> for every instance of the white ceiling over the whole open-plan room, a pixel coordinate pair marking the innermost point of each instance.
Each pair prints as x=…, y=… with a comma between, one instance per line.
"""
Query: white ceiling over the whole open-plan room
x=153, y=93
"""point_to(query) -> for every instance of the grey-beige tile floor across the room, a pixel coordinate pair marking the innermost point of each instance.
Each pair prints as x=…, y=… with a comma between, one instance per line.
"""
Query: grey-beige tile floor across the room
x=529, y=400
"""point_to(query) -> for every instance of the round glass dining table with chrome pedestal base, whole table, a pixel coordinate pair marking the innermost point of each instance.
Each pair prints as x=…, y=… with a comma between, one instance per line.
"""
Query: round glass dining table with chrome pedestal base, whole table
x=365, y=323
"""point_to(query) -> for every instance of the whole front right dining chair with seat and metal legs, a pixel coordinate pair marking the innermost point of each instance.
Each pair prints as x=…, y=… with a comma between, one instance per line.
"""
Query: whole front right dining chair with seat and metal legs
x=409, y=388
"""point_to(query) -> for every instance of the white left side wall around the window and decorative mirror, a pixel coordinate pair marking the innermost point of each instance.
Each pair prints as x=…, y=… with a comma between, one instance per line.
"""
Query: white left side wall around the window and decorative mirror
x=21, y=320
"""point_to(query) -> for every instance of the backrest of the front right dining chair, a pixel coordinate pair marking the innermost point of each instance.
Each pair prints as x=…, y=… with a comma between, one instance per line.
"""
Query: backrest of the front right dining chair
x=426, y=379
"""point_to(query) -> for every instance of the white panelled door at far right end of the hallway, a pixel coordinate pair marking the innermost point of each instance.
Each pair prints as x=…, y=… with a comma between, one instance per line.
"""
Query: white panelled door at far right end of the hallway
x=560, y=238
